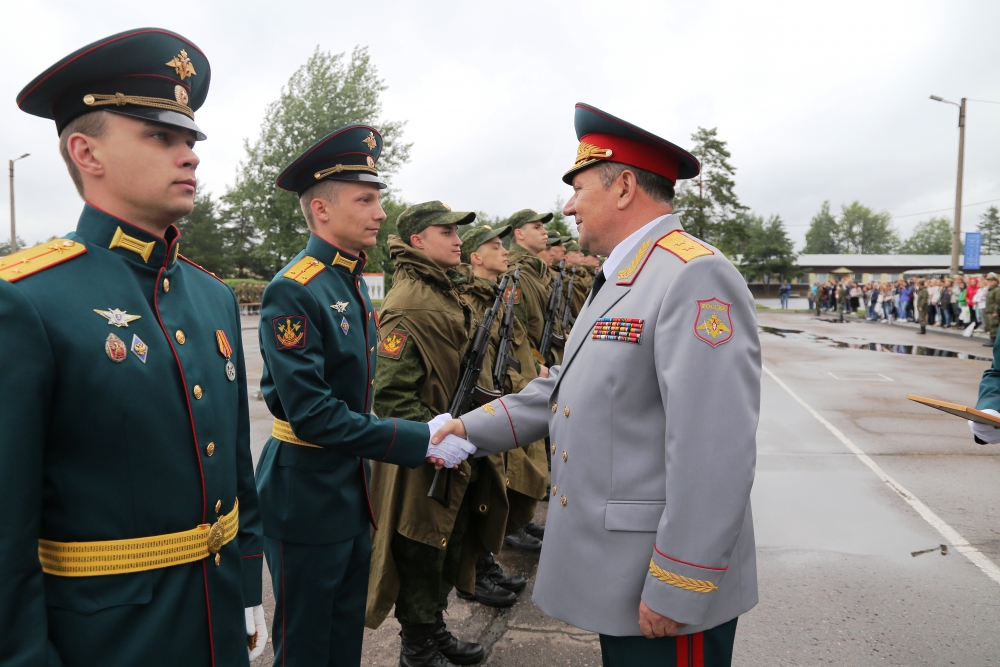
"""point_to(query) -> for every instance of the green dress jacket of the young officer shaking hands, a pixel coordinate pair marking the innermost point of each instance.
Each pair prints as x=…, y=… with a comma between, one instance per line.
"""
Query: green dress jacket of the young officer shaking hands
x=319, y=378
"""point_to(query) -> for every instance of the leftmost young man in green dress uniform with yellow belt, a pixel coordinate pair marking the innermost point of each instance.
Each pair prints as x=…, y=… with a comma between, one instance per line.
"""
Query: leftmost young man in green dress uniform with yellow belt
x=130, y=533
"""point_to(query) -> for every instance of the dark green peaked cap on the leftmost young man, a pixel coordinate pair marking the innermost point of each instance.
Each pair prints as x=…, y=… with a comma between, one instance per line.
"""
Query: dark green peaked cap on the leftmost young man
x=148, y=73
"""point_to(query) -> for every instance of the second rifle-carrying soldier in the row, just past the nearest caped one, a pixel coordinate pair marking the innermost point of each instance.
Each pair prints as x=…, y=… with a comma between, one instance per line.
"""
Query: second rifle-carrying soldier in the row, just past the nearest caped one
x=484, y=260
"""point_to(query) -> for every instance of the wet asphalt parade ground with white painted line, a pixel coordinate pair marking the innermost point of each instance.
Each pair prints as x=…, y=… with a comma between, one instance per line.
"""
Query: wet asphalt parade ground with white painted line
x=838, y=583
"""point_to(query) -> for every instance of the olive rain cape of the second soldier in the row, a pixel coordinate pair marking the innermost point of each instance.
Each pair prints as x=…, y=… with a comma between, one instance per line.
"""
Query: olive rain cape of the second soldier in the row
x=526, y=467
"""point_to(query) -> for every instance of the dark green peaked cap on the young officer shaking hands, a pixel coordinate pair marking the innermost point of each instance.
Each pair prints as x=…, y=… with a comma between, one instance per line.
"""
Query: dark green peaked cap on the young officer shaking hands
x=348, y=154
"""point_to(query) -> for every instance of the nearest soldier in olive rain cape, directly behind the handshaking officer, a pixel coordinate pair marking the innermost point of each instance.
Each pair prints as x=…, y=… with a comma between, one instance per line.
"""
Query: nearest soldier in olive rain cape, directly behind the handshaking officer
x=418, y=553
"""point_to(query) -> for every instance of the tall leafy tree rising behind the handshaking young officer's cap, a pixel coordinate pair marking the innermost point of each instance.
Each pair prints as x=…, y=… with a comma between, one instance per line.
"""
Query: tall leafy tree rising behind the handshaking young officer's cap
x=328, y=92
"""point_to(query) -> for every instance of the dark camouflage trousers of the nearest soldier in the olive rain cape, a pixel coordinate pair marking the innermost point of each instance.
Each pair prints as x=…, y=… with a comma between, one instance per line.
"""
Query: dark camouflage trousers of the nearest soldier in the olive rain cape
x=427, y=574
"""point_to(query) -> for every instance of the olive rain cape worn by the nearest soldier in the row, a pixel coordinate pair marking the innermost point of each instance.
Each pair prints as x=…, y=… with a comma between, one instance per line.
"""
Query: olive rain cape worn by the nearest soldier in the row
x=425, y=327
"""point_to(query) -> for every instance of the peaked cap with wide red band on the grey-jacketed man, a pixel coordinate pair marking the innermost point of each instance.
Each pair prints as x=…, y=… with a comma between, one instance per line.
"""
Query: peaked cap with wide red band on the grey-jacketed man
x=604, y=138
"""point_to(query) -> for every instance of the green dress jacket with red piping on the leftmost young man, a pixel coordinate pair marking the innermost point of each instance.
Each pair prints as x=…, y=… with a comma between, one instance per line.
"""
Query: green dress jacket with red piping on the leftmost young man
x=98, y=449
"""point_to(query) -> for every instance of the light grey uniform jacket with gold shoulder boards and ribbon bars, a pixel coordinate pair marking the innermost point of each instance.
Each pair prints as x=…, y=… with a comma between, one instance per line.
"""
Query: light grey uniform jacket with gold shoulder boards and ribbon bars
x=653, y=421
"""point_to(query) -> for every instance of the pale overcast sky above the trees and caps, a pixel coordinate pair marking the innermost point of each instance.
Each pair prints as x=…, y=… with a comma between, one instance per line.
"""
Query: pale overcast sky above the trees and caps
x=818, y=100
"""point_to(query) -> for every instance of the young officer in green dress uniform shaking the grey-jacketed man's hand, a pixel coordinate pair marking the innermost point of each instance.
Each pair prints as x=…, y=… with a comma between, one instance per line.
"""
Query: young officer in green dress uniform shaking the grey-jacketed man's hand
x=318, y=336
